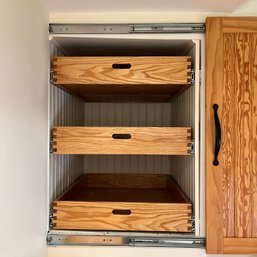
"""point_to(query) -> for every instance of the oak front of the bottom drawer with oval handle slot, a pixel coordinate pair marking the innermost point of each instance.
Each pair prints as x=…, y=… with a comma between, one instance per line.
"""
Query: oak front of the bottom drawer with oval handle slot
x=122, y=216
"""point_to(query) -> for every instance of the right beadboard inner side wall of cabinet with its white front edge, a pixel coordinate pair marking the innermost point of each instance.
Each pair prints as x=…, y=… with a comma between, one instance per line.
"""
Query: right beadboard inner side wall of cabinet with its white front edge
x=184, y=112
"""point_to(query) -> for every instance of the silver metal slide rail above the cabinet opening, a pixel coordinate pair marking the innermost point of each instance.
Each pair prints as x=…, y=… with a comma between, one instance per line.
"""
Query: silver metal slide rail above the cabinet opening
x=126, y=28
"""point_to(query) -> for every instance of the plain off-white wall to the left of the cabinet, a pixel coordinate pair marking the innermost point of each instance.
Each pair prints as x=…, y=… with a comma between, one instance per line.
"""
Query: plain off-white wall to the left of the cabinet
x=23, y=128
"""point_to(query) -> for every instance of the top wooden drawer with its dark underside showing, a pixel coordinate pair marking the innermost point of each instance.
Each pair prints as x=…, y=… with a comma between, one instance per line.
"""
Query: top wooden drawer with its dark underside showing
x=123, y=78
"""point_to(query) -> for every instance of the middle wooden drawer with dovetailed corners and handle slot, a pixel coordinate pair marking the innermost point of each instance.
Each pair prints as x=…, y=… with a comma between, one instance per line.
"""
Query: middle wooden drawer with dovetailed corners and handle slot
x=122, y=140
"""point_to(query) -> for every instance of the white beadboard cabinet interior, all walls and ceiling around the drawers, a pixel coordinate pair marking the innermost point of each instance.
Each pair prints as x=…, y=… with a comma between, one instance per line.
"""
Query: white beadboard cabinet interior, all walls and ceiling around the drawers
x=180, y=111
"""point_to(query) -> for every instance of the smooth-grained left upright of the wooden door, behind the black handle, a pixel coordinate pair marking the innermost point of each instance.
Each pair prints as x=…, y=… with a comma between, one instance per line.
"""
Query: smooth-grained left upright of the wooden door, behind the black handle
x=214, y=177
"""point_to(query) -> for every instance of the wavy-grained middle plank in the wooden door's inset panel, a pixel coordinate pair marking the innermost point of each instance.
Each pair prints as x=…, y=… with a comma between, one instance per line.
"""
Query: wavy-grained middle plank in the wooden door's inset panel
x=243, y=142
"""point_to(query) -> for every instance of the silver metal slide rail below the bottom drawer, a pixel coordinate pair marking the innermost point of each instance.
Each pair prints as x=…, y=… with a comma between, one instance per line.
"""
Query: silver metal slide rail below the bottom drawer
x=124, y=239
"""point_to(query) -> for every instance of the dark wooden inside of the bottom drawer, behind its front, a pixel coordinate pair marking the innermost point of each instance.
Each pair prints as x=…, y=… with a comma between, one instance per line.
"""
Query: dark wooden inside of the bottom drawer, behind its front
x=125, y=187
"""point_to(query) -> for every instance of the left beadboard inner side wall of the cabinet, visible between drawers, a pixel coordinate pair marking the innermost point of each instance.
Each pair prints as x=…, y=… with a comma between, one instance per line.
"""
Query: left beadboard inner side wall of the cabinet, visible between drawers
x=65, y=110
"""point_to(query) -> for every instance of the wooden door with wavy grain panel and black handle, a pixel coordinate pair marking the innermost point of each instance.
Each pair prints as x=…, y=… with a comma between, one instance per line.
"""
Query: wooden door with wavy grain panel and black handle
x=231, y=92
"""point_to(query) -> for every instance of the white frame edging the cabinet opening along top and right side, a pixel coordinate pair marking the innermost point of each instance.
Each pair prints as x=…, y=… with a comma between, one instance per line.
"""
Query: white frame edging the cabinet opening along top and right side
x=198, y=40
